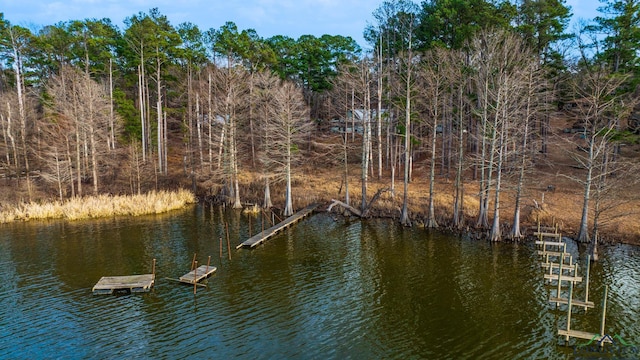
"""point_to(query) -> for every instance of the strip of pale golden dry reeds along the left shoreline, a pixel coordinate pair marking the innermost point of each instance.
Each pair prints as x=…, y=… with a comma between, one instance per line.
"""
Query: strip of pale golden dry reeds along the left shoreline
x=101, y=206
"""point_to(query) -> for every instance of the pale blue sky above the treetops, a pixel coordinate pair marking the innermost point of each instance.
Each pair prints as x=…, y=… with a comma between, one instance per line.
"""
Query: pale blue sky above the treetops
x=292, y=18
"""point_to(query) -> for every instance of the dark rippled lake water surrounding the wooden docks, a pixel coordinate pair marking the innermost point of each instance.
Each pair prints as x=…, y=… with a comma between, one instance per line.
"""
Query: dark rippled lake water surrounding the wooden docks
x=325, y=289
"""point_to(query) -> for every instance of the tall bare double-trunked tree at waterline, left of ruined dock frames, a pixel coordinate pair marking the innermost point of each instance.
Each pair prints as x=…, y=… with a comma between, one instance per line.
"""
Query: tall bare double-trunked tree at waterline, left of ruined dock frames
x=501, y=62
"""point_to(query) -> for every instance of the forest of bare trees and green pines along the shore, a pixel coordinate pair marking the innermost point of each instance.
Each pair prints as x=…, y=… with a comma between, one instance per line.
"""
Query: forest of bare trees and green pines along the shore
x=466, y=90
